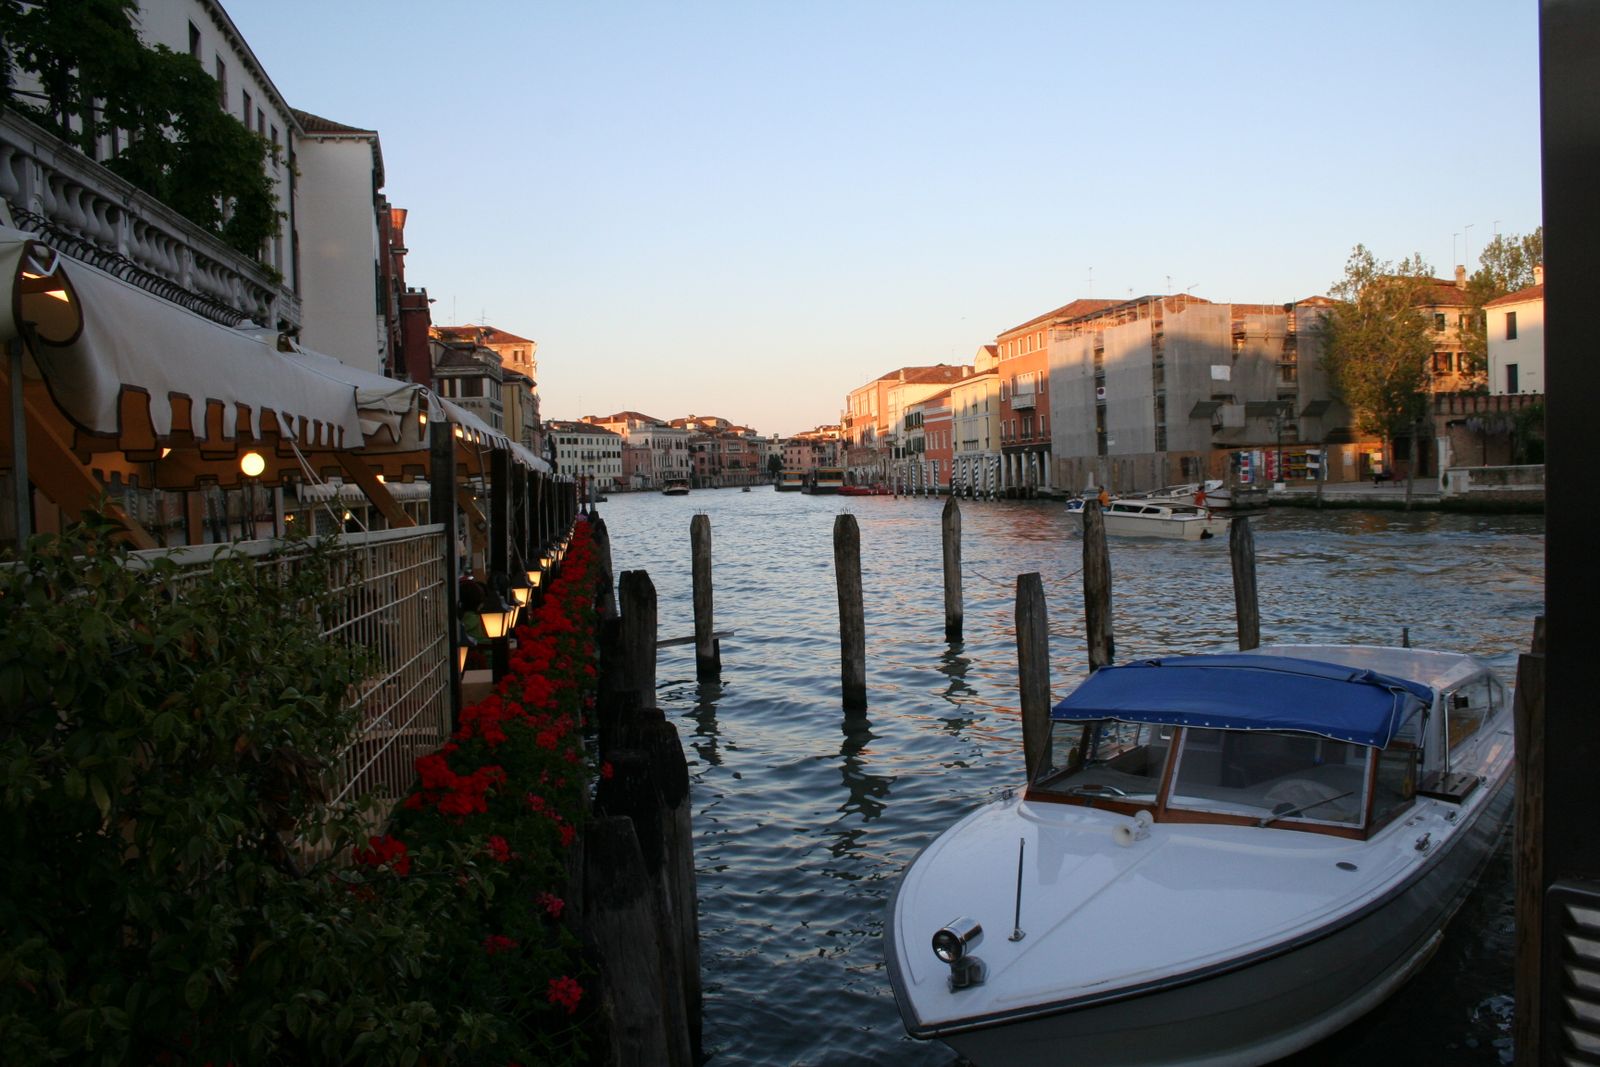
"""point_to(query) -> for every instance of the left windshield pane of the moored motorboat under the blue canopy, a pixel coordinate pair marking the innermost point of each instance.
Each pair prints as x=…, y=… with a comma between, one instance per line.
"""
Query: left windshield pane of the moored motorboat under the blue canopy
x=1106, y=759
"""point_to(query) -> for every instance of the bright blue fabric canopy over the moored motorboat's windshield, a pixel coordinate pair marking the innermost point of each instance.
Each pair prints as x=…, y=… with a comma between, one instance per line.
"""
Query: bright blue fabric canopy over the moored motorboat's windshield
x=1244, y=692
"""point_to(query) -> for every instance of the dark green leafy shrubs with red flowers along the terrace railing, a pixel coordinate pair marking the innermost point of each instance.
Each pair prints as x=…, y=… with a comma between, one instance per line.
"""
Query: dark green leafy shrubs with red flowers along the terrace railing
x=166, y=745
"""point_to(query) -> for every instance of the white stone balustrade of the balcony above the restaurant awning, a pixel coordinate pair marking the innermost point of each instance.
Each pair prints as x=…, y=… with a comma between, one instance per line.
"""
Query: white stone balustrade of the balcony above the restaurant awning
x=87, y=212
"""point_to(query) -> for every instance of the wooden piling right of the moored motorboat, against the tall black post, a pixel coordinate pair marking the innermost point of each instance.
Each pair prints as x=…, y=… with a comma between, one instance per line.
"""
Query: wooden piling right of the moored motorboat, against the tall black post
x=1529, y=857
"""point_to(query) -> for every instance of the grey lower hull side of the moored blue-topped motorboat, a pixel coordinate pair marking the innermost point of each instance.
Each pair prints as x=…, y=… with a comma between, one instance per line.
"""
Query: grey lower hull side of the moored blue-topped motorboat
x=1252, y=1010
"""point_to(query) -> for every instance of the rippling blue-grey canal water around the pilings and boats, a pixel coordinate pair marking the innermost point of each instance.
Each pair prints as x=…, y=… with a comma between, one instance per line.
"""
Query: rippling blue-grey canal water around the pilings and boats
x=806, y=817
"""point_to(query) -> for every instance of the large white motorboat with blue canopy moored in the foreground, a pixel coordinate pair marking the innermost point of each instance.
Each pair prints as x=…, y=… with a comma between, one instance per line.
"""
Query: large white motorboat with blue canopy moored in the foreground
x=1223, y=860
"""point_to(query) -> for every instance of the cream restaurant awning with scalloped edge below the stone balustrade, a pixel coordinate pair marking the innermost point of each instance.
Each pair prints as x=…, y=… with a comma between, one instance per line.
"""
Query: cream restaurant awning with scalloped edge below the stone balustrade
x=135, y=374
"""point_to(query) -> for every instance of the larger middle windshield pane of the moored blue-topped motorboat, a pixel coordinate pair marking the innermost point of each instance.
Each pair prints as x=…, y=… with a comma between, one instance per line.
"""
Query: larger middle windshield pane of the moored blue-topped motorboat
x=1271, y=775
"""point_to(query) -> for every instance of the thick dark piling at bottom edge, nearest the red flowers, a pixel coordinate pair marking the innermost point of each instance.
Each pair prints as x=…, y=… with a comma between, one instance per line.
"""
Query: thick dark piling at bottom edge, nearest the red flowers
x=623, y=927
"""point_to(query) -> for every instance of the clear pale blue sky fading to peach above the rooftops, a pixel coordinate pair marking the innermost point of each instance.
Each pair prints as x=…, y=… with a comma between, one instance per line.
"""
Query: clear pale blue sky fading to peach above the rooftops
x=746, y=210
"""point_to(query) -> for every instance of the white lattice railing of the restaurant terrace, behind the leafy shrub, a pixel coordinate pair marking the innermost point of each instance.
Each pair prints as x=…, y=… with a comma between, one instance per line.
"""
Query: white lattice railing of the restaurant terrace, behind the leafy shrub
x=391, y=591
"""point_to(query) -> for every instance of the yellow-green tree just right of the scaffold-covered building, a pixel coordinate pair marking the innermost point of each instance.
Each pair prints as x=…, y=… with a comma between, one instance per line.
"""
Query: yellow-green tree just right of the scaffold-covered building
x=1377, y=342
